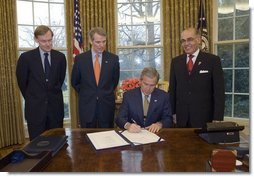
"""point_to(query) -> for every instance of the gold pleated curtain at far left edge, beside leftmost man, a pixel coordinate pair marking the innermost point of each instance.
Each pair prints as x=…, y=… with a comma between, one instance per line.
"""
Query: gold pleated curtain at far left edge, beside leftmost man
x=11, y=121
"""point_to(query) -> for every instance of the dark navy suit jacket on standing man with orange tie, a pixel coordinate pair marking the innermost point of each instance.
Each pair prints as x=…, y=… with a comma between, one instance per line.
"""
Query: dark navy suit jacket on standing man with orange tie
x=90, y=95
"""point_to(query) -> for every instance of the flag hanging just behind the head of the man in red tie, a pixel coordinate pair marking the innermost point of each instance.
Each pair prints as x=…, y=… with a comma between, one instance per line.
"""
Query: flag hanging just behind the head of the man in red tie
x=202, y=27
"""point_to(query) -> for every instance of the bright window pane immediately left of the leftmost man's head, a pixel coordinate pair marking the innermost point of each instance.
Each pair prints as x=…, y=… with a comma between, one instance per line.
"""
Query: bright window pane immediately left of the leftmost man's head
x=26, y=37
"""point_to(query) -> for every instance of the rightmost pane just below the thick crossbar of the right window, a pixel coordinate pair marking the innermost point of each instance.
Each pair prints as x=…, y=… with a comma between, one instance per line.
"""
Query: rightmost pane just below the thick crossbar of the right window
x=242, y=55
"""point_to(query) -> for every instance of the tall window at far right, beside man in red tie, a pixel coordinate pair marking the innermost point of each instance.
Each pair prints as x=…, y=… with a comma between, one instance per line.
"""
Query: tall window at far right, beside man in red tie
x=232, y=45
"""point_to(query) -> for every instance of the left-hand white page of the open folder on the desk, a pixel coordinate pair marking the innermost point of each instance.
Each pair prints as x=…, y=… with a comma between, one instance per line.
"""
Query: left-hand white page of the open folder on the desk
x=106, y=139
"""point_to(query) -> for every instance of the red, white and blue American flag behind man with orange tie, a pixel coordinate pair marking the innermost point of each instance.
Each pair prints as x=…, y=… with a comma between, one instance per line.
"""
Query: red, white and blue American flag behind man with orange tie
x=77, y=37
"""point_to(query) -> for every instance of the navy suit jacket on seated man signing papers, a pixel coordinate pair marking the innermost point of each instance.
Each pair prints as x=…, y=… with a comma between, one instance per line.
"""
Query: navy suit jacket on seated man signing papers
x=132, y=108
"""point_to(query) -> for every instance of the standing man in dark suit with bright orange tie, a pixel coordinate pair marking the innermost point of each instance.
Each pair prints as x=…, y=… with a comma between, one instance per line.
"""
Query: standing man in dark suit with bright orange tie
x=95, y=76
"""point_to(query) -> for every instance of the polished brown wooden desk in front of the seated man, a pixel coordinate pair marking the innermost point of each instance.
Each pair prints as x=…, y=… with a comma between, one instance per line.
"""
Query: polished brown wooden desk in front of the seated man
x=182, y=151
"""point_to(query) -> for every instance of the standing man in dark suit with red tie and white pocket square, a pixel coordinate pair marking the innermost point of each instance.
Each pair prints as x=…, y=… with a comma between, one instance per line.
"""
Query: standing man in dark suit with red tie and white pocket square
x=197, y=86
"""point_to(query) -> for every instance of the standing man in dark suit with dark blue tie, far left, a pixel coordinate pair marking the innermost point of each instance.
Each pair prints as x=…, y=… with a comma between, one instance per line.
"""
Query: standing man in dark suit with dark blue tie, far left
x=40, y=74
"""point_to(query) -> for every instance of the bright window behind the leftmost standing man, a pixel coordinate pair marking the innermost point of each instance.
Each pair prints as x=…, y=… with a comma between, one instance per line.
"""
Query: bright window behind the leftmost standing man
x=30, y=14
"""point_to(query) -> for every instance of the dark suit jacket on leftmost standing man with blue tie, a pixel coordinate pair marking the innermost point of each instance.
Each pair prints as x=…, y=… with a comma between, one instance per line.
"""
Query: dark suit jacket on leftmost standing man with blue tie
x=41, y=99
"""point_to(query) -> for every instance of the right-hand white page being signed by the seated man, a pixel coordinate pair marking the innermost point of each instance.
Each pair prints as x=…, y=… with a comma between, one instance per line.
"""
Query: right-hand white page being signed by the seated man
x=143, y=137
